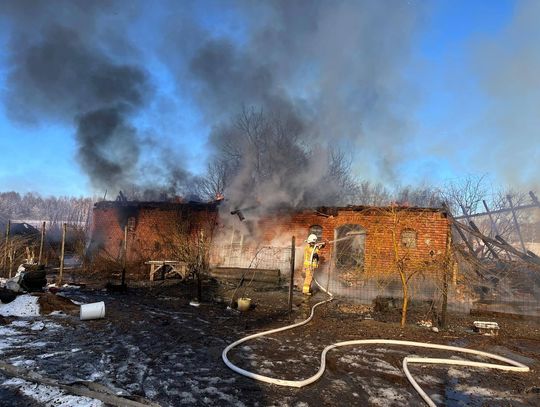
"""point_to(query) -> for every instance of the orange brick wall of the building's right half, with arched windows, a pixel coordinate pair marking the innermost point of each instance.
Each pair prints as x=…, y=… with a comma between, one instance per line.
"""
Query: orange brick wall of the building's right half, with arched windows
x=431, y=227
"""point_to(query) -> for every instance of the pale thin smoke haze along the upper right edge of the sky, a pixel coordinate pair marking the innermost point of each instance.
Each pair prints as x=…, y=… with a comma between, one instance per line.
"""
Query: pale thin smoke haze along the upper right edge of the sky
x=507, y=66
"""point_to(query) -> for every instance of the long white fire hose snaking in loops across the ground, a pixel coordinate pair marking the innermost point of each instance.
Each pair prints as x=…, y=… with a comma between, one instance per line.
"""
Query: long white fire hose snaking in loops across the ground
x=512, y=366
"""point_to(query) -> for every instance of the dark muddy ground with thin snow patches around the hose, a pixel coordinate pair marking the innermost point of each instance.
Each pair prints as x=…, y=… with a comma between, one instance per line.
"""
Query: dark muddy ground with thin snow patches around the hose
x=154, y=344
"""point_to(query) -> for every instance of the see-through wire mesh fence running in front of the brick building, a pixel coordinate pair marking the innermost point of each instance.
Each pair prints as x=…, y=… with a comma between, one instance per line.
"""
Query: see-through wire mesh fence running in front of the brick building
x=513, y=289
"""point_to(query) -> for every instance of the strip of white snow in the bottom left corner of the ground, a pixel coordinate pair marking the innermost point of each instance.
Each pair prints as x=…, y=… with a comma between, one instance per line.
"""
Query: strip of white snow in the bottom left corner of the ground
x=50, y=396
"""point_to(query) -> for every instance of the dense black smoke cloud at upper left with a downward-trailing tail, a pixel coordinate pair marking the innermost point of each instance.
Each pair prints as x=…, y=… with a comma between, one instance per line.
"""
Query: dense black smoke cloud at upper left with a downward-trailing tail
x=60, y=72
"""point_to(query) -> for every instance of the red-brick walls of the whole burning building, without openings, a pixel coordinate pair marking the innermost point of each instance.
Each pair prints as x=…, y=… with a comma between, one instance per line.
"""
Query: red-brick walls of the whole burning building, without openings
x=152, y=227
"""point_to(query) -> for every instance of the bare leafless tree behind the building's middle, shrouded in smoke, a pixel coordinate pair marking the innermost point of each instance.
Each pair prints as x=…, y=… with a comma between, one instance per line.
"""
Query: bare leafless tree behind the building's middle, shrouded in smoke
x=263, y=157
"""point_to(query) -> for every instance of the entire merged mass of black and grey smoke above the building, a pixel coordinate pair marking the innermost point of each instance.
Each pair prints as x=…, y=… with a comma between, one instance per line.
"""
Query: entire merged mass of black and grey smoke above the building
x=327, y=76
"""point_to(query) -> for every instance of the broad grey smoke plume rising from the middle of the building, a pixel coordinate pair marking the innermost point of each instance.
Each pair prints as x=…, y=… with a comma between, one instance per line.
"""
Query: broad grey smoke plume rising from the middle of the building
x=326, y=76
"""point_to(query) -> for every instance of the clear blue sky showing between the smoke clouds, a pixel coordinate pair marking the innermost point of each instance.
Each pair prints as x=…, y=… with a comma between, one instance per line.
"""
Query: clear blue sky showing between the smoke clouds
x=452, y=111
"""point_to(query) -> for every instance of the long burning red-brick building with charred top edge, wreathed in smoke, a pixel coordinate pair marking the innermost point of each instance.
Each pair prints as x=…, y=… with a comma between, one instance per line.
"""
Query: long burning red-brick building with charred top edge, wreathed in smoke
x=382, y=238
